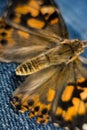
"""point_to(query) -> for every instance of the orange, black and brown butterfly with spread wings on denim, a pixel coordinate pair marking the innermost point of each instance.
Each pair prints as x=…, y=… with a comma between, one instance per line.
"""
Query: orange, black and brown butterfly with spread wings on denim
x=33, y=34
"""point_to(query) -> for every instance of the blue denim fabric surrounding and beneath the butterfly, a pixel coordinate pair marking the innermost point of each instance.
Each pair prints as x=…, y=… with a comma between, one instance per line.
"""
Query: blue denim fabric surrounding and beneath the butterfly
x=75, y=15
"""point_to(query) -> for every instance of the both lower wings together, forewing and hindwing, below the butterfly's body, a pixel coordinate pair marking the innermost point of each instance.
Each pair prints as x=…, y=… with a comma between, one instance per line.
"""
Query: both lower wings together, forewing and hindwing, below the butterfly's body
x=64, y=101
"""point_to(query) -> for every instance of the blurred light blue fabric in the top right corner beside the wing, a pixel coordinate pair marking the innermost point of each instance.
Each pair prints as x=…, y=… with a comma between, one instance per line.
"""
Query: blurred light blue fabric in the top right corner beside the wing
x=75, y=15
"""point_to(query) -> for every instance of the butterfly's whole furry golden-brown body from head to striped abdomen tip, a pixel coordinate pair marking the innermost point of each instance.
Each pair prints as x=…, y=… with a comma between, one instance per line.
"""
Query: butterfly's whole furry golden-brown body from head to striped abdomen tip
x=66, y=52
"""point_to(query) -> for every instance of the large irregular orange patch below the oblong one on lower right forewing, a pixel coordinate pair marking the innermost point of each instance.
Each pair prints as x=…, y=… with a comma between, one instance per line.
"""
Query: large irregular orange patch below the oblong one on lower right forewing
x=78, y=108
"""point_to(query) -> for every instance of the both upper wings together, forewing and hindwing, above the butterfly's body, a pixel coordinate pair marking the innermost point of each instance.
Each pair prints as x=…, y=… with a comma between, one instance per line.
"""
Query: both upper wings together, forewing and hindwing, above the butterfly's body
x=19, y=40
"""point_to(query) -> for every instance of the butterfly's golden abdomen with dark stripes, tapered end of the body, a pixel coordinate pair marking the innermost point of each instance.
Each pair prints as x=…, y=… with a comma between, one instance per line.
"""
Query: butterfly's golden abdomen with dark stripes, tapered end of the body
x=33, y=65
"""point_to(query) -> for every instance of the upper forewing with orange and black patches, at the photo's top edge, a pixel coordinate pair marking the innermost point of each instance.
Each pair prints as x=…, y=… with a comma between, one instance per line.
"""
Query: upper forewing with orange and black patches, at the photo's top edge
x=36, y=14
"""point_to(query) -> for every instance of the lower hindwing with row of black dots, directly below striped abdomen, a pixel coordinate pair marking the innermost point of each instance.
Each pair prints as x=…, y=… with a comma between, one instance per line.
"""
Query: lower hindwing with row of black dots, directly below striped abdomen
x=38, y=92
